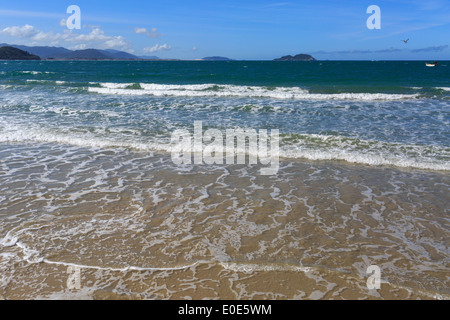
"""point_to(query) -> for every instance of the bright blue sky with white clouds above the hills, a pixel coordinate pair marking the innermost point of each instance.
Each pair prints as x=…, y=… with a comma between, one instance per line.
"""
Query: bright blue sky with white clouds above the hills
x=249, y=30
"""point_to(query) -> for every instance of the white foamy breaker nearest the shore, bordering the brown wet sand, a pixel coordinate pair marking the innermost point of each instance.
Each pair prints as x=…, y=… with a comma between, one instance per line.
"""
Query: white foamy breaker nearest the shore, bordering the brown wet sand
x=338, y=150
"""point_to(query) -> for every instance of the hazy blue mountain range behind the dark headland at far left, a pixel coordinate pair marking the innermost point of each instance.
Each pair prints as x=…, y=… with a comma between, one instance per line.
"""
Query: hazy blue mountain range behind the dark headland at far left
x=87, y=54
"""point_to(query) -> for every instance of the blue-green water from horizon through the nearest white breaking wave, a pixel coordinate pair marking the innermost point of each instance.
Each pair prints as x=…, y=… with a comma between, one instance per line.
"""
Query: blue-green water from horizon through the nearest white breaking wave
x=392, y=113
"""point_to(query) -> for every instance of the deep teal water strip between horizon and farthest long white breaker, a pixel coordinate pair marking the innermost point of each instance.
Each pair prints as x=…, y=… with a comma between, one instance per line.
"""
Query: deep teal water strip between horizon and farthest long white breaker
x=381, y=76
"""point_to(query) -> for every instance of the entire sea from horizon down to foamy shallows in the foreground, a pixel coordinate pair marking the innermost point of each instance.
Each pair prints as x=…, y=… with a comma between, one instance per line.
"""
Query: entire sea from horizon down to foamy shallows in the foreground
x=93, y=205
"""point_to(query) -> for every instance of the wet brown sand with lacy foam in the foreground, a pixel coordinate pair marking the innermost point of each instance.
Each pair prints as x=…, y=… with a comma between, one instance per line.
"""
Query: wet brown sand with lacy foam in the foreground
x=135, y=226
